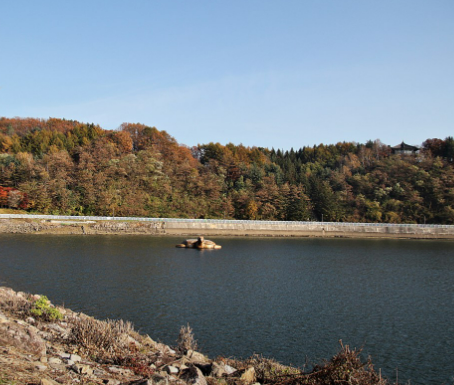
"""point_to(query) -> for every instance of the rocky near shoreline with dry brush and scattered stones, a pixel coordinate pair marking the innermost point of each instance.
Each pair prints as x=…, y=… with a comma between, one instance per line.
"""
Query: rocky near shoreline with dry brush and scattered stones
x=49, y=345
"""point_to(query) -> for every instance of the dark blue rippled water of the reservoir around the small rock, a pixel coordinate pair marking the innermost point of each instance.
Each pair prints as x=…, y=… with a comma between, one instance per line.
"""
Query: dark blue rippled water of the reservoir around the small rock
x=292, y=299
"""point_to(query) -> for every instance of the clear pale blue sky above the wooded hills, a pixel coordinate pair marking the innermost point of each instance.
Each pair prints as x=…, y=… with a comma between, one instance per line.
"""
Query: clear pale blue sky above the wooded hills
x=263, y=73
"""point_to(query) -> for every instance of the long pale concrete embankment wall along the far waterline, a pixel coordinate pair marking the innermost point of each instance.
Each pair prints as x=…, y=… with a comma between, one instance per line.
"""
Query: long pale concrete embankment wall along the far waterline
x=53, y=224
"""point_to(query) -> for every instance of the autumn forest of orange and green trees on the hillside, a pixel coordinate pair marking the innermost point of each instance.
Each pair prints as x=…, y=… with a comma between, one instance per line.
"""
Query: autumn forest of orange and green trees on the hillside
x=65, y=167
